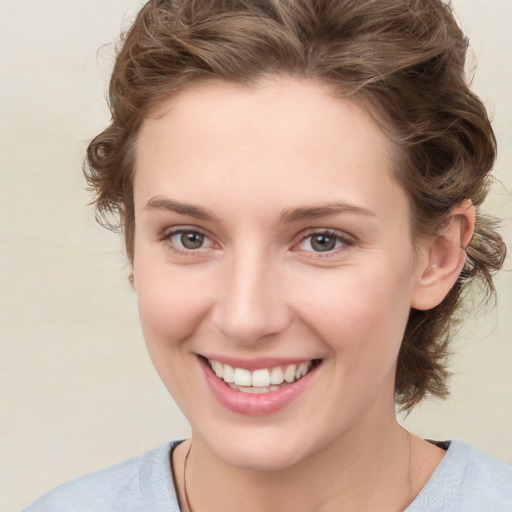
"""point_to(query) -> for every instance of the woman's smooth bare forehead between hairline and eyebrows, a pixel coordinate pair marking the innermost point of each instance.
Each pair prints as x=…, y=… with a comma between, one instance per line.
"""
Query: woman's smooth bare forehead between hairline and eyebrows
x=283, y=143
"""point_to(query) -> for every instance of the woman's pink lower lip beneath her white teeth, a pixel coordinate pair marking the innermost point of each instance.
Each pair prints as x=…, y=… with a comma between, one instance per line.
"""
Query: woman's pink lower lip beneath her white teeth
x=254, y=404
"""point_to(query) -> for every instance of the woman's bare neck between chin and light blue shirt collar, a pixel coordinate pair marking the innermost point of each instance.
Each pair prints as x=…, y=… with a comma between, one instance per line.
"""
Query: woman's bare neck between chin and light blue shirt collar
x=359, y=472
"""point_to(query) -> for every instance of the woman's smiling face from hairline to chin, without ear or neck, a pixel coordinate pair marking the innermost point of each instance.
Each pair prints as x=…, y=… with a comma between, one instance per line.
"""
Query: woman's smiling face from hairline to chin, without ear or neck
x=270, y=234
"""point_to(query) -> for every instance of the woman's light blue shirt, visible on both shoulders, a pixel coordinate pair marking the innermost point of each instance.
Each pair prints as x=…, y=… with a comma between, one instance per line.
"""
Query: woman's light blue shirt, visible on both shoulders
x=465, y=481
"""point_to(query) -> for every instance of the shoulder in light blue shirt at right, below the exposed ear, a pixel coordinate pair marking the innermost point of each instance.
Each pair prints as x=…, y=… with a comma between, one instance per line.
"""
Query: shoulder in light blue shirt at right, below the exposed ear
x=466, y=481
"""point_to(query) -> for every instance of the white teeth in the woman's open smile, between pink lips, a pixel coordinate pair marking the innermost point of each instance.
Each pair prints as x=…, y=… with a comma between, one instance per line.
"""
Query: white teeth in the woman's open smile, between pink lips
x=261, y=380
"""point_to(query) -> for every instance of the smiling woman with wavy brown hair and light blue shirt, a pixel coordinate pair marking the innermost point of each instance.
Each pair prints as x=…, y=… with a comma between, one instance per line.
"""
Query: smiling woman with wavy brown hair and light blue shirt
x=299, y=184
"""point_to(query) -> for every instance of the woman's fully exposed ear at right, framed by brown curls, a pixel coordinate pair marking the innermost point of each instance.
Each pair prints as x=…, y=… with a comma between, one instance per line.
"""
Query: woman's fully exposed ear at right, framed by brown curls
x=443, y=258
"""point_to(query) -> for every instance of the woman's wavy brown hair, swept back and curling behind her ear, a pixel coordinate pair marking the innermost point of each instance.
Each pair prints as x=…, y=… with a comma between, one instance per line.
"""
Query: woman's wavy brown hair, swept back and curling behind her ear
x=403, y=59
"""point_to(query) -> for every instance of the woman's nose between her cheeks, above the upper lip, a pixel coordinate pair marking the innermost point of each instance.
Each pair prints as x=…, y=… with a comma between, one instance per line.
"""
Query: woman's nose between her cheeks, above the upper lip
x=250, y=304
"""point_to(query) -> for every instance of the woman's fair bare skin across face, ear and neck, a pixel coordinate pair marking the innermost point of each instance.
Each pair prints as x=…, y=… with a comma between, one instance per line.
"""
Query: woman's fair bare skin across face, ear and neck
x=244, y=159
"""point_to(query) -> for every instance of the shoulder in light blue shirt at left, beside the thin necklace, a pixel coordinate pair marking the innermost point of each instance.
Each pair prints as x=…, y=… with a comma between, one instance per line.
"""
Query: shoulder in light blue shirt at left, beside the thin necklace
x=140, y=484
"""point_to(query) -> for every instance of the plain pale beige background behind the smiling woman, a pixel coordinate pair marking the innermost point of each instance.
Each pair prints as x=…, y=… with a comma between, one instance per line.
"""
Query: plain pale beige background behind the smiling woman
x=77, y=390
